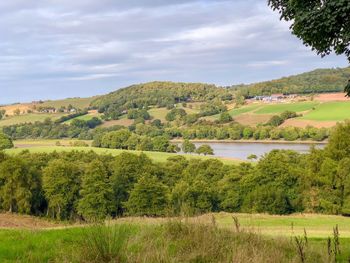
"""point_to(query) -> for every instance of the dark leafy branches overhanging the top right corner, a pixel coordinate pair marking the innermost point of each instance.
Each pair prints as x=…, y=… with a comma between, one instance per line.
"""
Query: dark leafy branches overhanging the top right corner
x=323, y=25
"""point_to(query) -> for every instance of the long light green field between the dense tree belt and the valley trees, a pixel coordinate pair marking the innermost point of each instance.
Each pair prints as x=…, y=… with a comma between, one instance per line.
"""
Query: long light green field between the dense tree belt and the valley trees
x=48, y=146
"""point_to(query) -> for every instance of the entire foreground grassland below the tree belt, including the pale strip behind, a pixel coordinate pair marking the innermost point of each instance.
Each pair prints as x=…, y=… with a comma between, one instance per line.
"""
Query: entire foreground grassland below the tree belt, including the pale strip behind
x=168, y=240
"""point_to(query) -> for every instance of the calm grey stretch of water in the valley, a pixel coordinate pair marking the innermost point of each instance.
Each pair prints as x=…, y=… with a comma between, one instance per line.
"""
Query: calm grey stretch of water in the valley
x=243, y=150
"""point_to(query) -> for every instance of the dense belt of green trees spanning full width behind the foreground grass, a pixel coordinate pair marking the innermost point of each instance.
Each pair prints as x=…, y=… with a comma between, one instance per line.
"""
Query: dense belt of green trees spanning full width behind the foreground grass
x=87, y=186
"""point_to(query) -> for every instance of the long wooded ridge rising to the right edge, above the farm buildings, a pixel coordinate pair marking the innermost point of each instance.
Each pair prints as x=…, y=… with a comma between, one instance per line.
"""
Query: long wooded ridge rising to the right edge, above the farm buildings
x=317, y=81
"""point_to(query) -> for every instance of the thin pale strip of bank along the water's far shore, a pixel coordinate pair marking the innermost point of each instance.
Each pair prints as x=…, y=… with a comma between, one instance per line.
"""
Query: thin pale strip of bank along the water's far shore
x=251, y=141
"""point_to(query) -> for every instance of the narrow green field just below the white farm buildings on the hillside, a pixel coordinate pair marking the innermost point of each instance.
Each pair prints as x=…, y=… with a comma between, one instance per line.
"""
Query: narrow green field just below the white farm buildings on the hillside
x=279, y=108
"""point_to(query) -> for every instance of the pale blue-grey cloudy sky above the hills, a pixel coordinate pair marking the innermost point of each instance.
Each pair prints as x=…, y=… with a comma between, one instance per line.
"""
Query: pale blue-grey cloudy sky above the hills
x=51, y=49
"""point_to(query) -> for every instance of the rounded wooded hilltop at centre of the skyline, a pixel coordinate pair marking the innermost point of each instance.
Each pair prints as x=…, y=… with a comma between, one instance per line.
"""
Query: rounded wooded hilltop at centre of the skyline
x=158, y=94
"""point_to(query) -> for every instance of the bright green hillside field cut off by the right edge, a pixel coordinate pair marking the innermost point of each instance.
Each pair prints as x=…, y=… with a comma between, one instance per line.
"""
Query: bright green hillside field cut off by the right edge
x=330, y=111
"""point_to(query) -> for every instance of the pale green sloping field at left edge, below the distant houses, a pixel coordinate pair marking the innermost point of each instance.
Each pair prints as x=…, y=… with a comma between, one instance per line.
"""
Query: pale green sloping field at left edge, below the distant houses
x=27, y=118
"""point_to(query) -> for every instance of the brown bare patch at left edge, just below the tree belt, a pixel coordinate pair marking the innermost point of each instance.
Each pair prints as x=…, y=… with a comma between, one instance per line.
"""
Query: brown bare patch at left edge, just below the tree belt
x=8, y=220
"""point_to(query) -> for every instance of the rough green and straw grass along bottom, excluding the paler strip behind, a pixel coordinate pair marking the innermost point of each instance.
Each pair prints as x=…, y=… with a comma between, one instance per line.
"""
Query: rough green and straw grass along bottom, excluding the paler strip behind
x=169, y=242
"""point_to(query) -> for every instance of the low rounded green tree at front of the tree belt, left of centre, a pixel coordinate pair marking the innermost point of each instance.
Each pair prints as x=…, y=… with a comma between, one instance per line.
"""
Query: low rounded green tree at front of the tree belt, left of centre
x=148, y=197
